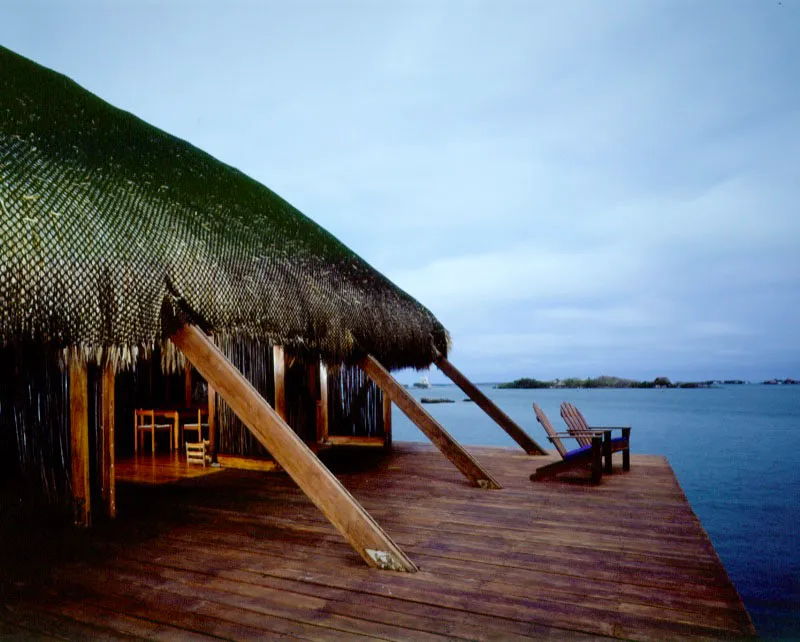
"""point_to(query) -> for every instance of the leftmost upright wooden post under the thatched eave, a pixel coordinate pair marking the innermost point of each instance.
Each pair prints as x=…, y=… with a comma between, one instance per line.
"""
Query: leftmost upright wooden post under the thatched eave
x=79, y=439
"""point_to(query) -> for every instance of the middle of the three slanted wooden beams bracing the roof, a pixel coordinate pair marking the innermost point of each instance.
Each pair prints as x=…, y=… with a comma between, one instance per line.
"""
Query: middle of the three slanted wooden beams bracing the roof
x=450, y=448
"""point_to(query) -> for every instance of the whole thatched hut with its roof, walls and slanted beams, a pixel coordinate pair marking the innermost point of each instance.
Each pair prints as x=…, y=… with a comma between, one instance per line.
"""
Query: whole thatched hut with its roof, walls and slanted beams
x=127, y=255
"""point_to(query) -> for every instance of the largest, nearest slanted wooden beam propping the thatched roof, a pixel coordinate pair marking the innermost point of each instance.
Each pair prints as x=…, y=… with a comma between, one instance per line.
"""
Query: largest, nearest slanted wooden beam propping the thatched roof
x=314, y=479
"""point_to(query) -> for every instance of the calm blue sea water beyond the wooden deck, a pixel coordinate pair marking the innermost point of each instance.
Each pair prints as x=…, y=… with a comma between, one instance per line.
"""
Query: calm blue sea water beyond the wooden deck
x=735, y=450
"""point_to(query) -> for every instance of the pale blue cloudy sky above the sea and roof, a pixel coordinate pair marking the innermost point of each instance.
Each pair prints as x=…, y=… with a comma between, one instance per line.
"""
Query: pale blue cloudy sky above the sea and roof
x=574, y=188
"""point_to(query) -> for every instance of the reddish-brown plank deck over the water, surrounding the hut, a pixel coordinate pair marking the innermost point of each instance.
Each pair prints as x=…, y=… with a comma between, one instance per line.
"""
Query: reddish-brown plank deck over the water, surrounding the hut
x=244, y=555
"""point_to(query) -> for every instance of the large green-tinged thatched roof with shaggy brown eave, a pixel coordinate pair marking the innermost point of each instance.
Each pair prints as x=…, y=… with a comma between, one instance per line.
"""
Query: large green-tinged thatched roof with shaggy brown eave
x=104, y=219
